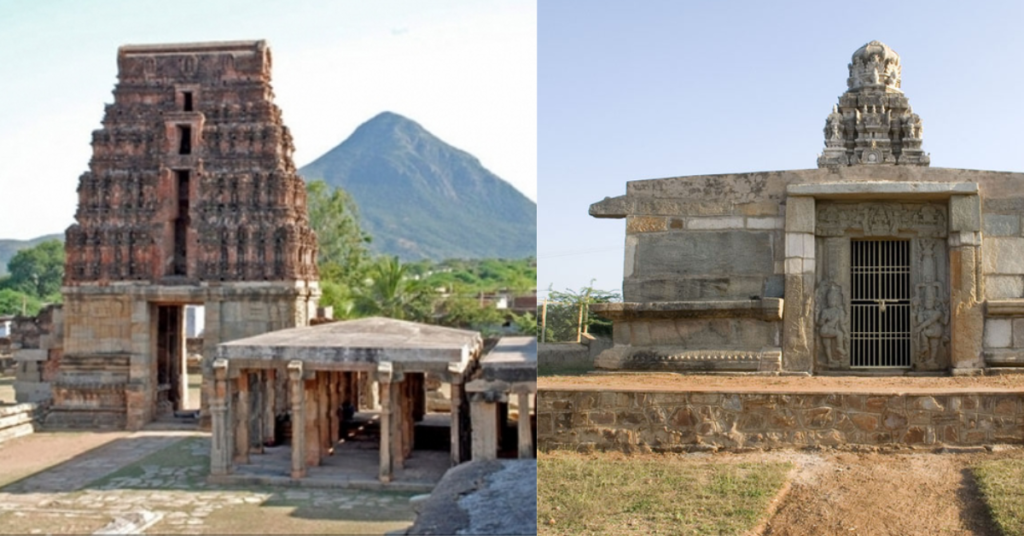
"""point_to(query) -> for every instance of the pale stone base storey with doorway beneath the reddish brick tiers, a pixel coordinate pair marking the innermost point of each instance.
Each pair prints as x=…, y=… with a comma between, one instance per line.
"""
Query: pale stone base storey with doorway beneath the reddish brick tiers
x=110, y=378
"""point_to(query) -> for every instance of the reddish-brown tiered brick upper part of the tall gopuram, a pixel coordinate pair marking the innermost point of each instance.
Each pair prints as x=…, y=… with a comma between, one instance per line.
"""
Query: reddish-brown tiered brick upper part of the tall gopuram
x=192, y=177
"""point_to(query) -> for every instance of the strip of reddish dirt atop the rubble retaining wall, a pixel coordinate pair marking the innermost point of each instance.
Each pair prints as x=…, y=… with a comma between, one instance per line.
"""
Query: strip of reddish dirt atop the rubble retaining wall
x=704, y=383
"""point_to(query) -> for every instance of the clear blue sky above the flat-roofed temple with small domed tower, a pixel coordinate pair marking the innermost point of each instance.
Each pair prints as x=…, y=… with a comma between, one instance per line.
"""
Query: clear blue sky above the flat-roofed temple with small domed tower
x=638, y=91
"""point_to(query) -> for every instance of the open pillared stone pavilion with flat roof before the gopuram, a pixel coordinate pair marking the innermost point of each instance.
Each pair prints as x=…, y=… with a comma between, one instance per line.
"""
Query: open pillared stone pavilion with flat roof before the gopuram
x=333, y=438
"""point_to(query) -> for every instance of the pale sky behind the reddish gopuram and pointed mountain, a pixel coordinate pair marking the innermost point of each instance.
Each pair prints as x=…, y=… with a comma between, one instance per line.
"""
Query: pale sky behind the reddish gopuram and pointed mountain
x=466, y=70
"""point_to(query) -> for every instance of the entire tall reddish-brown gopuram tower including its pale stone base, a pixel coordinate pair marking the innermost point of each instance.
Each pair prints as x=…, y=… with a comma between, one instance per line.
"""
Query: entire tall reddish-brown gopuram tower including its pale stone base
x=191, y=198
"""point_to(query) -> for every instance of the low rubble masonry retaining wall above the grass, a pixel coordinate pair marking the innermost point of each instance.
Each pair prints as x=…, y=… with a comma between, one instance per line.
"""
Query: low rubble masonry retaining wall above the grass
x=678, y=422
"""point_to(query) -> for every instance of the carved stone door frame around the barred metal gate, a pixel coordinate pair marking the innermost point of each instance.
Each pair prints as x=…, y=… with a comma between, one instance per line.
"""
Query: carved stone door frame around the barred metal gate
x=956, y=256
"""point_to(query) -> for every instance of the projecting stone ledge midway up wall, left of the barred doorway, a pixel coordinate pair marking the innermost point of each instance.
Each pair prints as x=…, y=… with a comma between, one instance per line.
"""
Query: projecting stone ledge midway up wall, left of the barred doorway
x=764, y=309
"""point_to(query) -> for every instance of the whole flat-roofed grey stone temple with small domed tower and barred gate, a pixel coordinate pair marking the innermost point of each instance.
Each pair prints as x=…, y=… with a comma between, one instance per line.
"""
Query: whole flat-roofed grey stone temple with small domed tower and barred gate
x=872, y=263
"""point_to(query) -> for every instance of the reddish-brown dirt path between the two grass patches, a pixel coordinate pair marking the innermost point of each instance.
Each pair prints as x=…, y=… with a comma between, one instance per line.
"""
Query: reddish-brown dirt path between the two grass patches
x=903, y=493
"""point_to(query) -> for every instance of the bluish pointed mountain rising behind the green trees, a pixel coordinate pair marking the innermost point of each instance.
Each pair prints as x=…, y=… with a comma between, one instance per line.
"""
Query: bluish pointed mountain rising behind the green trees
x=420, y=198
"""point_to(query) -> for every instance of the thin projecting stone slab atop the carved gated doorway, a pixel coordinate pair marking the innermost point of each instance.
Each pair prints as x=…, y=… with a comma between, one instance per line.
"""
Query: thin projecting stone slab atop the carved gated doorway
x=879, y=190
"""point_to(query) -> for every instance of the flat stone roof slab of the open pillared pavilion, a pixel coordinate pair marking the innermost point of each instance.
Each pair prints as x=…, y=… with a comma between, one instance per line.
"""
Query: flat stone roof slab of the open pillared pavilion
x=364, y=341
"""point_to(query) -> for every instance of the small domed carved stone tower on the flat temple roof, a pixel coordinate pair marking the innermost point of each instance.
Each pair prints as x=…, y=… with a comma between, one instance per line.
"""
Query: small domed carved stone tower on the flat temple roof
x=874, y=122
